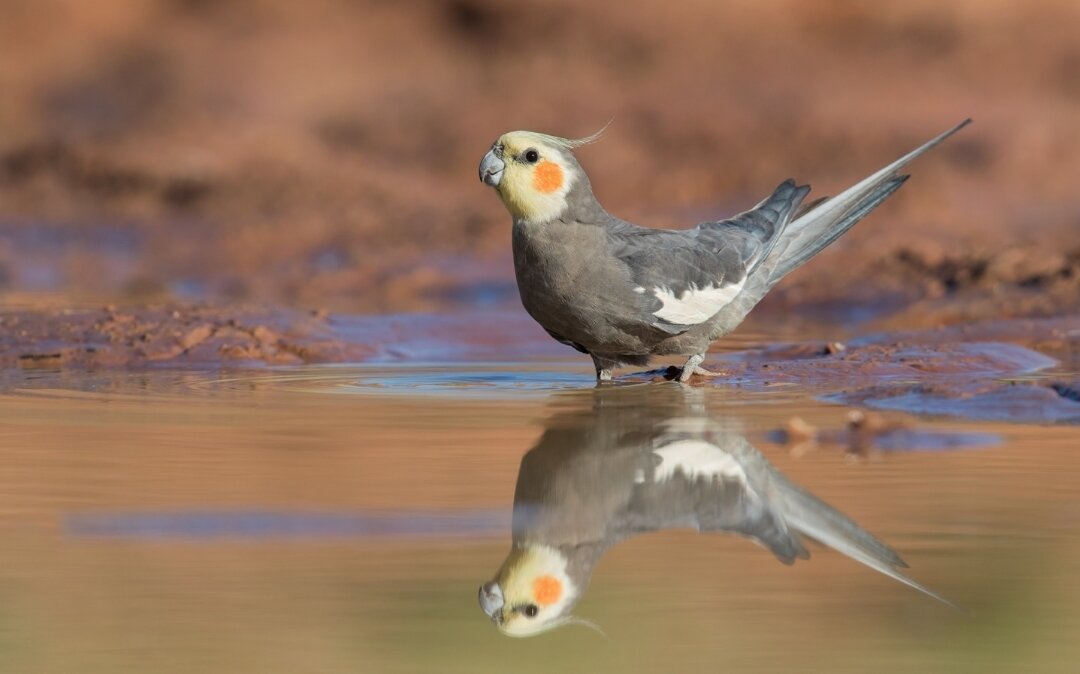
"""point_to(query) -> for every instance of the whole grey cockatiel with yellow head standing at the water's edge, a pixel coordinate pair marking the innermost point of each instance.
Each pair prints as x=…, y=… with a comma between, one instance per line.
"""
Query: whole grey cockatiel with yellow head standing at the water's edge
x=623, y=293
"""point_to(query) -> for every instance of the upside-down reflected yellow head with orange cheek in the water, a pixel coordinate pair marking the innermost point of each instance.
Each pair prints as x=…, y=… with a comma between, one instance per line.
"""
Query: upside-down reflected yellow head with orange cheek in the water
x=532, y=594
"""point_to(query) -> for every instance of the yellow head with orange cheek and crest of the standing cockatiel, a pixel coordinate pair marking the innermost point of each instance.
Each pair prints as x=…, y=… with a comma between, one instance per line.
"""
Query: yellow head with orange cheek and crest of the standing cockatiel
x=534, y=173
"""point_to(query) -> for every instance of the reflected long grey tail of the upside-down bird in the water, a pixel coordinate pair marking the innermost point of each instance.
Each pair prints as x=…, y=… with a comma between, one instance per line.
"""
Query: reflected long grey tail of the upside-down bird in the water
x=819, y=521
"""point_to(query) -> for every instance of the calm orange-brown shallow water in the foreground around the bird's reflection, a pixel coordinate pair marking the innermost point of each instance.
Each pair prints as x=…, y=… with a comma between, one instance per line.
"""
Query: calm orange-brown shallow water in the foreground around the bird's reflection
x=342, y=520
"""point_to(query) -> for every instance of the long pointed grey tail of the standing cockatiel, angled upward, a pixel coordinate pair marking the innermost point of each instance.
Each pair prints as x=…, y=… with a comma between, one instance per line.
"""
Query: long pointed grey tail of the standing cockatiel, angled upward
x=826, y=222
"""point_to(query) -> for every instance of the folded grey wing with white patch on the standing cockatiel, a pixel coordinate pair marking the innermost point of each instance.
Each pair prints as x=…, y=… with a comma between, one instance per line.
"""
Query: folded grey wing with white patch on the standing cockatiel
x=684, y=278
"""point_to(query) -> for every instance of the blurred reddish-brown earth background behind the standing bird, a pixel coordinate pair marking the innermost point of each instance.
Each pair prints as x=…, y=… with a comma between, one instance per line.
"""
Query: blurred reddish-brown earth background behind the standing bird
x=323, y=155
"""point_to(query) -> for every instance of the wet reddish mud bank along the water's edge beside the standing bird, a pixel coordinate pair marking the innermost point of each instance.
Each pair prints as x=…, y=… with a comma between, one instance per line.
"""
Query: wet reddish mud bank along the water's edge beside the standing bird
x=1014, y=371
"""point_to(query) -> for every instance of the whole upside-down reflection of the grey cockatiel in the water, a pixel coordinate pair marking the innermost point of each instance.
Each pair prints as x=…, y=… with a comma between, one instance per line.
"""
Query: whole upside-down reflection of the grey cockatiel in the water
x=633, y=463
